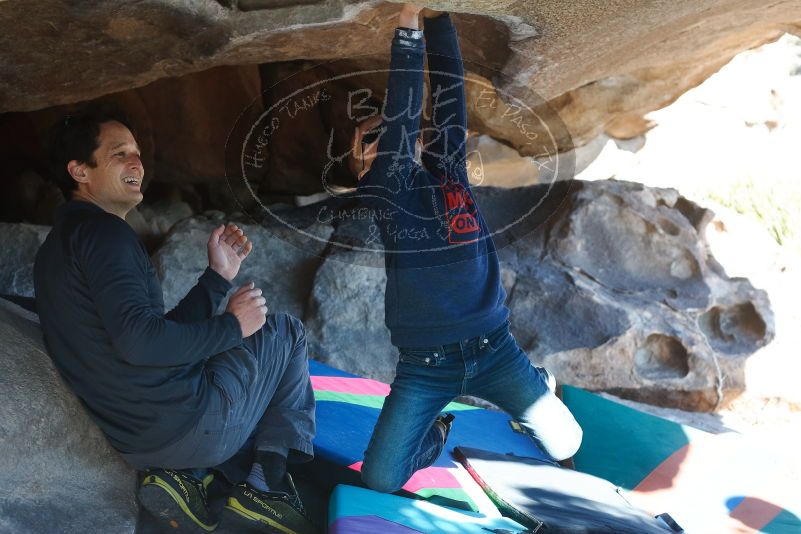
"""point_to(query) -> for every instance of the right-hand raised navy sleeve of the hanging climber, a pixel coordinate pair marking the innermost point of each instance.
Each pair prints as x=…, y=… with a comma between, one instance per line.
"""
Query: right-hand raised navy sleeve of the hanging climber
x=445, y=150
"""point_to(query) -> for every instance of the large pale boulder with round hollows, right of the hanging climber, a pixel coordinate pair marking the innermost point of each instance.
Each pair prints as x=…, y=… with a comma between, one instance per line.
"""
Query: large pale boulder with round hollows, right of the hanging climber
x=627, y=298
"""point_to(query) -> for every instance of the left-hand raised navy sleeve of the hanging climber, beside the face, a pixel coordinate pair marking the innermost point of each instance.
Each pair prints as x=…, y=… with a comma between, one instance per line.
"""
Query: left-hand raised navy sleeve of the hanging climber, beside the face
x=394, y=164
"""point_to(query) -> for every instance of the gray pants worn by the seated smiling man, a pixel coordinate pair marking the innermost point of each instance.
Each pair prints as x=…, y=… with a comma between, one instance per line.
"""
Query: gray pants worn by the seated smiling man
x=261, y=399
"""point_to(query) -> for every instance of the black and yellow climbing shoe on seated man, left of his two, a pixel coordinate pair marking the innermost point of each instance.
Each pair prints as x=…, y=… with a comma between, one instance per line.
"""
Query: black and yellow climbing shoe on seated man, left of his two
x=177, y=500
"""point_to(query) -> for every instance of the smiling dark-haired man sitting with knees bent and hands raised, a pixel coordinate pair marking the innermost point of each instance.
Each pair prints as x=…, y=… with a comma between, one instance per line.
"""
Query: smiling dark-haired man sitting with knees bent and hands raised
x=176, y=393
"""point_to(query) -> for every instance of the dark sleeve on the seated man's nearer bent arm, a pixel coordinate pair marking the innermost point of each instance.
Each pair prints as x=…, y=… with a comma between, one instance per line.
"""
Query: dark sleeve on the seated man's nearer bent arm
x=114, y=263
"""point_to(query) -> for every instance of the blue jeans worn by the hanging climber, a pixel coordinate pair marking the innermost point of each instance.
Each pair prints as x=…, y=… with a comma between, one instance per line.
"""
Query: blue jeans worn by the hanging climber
x=491, y=367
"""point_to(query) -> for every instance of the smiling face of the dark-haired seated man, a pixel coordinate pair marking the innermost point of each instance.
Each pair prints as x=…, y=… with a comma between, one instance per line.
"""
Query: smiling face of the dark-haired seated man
x=115, y=182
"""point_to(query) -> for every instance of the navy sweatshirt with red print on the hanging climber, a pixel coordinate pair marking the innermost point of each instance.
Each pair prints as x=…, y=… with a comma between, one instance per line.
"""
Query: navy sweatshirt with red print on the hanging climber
x=443, y=276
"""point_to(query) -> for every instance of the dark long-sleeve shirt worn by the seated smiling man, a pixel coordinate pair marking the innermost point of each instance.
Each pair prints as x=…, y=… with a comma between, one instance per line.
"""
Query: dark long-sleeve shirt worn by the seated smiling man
x=139, y=371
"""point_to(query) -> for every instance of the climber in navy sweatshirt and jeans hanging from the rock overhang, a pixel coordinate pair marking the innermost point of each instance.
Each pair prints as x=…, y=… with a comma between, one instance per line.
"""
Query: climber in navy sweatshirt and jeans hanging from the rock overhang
x=444, y=299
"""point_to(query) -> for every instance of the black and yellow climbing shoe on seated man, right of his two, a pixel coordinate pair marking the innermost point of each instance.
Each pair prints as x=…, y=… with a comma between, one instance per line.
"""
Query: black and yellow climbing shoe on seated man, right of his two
x=250, y=510
